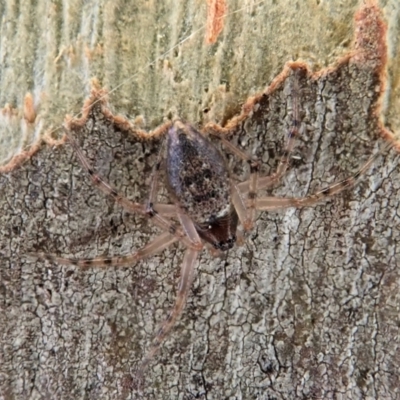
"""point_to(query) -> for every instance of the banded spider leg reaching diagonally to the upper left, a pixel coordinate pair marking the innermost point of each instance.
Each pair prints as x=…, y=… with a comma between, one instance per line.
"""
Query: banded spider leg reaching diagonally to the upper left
x=131, y=206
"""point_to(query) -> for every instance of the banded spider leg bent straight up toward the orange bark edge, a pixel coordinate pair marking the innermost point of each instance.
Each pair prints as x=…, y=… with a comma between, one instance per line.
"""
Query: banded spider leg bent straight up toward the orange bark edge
x=270, y=180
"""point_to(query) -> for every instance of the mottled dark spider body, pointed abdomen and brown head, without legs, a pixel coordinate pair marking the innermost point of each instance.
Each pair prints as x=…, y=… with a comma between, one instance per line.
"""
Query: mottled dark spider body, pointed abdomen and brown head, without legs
x=198, y=179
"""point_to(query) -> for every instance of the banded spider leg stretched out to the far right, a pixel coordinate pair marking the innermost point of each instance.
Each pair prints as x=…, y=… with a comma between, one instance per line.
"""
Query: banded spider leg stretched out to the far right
x=276, y=203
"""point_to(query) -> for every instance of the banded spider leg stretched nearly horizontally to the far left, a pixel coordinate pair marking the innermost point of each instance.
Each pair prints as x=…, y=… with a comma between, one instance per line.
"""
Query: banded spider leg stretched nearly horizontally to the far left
x=157, y=245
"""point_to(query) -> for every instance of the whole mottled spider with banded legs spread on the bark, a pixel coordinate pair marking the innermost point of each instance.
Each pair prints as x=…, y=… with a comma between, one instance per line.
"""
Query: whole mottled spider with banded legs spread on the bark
x=209, y=208
